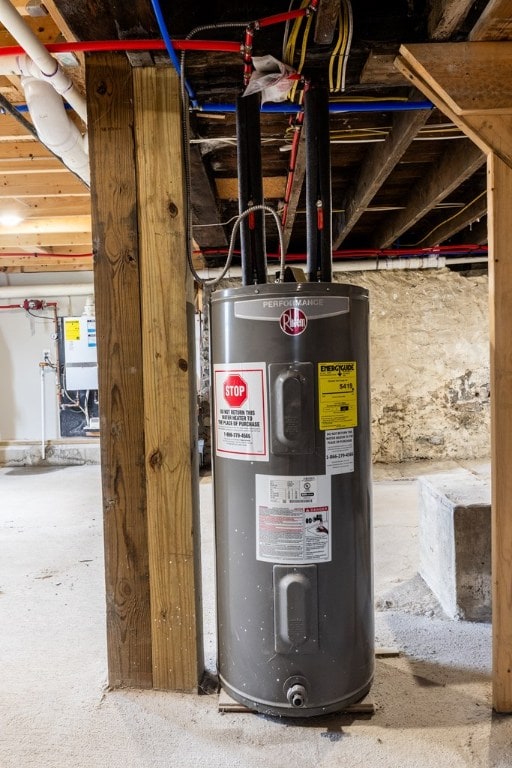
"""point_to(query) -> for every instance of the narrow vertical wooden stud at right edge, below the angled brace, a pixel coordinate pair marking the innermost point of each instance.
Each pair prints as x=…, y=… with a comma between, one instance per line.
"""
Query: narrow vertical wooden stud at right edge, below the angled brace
x=500, y=323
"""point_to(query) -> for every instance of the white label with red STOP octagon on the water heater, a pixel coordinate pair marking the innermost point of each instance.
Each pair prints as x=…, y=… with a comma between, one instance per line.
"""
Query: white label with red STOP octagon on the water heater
x=241, y=411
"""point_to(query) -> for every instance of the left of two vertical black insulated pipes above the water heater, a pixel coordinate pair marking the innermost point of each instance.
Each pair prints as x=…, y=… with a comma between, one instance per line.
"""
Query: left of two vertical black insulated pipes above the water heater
x=250, y=189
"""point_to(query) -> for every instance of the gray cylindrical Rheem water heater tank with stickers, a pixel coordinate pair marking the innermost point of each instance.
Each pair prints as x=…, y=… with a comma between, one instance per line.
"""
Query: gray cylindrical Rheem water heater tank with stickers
x=292, y=496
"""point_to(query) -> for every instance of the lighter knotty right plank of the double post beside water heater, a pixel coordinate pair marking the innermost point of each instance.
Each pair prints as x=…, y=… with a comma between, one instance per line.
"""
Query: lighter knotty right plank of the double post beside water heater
x=168, y=377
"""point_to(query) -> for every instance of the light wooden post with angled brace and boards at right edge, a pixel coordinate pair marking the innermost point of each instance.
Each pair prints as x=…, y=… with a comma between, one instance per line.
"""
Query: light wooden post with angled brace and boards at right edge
x=463, y=81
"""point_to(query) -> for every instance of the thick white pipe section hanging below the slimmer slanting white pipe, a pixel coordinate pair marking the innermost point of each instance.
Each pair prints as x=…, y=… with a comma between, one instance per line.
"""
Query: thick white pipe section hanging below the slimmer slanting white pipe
x=53, y=126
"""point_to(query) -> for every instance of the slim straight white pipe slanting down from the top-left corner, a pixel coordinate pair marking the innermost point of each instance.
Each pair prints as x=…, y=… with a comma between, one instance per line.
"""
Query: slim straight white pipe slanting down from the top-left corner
x=48, y=68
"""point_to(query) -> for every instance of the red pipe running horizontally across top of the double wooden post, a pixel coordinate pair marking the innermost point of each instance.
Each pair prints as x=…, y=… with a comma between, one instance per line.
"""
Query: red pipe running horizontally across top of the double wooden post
x=92, y=46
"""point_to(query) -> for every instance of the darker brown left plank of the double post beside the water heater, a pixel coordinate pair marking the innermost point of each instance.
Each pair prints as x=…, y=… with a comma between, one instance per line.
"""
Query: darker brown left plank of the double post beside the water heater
x=117, y=292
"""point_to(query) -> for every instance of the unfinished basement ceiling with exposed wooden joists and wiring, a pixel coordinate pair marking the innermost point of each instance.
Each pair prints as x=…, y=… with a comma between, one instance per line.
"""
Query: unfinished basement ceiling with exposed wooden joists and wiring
x=404, y=178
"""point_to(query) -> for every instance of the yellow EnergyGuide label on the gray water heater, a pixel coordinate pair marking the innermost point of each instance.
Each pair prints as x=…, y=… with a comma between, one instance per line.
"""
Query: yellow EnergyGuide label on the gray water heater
x=337, y=395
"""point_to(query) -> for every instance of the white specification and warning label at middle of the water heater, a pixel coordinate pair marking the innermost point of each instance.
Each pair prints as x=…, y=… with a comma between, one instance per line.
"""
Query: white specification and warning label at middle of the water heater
x=293, y=519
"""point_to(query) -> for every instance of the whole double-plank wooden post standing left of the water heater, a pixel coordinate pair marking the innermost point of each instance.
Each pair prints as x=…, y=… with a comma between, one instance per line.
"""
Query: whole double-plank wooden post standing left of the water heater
x=145, y=318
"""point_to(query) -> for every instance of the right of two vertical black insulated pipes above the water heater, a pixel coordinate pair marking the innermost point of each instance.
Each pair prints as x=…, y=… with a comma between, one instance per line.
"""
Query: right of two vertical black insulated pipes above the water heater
x=318, y=185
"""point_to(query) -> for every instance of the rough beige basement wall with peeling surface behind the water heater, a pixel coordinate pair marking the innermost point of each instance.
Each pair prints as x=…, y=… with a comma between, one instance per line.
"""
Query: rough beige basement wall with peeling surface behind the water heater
x=429, y=362
